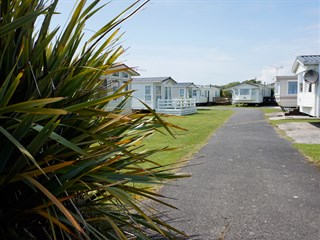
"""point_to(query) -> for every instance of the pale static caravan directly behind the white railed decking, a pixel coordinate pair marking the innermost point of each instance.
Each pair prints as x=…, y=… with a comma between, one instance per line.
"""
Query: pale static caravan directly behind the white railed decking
x=150, y=90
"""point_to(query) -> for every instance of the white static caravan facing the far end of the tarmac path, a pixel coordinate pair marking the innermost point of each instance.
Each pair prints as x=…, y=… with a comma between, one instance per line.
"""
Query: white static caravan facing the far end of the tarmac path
x=247, y=93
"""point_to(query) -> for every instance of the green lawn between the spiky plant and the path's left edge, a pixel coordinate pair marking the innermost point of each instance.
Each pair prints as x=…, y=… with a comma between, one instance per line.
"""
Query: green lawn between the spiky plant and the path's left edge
x=200, y=127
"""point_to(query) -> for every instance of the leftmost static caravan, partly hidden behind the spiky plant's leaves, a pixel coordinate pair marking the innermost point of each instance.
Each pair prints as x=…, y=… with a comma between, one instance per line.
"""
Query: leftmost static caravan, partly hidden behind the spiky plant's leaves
x=120, y=75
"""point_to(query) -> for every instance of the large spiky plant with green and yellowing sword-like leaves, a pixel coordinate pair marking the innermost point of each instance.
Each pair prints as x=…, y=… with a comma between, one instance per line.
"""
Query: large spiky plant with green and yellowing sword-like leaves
x=68, y=167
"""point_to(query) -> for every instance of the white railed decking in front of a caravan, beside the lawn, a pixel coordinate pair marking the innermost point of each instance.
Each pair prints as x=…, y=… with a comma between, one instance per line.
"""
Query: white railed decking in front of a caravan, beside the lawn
x=178, y=107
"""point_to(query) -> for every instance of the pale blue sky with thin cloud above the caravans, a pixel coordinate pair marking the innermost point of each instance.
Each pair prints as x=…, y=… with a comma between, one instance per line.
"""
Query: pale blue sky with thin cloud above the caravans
x=212, y=41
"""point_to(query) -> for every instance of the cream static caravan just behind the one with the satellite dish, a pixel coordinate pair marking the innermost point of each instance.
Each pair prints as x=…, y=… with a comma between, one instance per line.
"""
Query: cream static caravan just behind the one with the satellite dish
x=285, y=91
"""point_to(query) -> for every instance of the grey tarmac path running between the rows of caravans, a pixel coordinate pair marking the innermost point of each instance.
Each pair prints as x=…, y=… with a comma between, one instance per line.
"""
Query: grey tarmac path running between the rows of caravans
x=252, y=184
